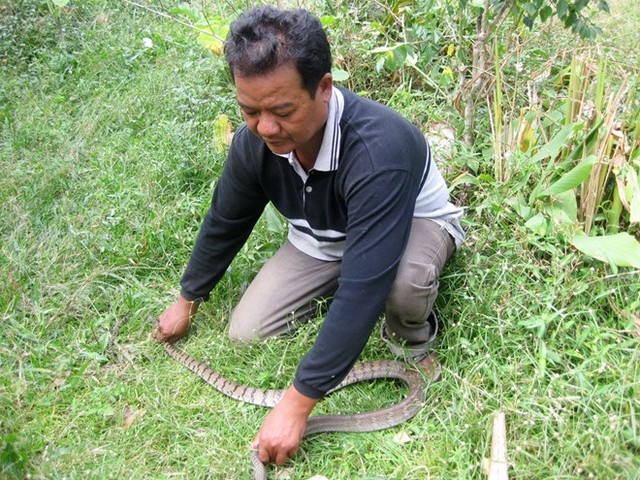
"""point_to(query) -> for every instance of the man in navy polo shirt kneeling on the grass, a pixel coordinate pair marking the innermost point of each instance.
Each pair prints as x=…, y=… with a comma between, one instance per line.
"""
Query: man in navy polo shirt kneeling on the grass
x=369, y=219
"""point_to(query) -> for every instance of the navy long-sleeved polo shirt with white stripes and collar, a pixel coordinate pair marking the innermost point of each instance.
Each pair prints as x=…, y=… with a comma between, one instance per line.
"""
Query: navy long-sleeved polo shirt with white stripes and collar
x=373, y=174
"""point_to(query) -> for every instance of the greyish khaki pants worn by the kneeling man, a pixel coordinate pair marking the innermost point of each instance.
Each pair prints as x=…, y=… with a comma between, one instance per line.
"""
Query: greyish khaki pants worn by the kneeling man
x=283, y=293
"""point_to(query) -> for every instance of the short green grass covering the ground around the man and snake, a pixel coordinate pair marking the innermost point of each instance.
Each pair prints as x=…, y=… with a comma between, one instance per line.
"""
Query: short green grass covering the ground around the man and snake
x=108, y=158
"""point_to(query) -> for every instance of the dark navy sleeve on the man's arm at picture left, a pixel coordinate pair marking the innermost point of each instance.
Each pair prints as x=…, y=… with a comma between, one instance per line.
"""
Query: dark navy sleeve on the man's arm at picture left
x=237, y=203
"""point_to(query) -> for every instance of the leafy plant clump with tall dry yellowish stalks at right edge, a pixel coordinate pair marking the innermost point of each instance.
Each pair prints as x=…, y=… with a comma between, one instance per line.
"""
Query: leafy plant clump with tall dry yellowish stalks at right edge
x=590, y=181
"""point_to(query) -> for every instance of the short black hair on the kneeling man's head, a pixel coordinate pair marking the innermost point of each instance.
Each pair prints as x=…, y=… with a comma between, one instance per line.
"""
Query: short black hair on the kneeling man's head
x=265, y=38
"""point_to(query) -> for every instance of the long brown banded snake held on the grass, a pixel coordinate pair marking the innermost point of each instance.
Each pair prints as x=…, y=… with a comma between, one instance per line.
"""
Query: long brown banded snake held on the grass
x=369, y=421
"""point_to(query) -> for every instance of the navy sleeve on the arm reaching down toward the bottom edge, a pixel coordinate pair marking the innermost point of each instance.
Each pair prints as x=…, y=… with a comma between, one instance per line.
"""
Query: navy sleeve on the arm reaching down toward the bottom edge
x=380, y=212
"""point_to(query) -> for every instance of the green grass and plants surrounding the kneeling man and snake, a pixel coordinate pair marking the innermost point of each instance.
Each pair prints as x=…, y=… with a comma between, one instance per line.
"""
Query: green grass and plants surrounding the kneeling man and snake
x=113, y=123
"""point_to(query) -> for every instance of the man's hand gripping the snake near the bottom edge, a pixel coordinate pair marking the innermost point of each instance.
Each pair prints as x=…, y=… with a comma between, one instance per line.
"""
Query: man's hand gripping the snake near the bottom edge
x=284, y=427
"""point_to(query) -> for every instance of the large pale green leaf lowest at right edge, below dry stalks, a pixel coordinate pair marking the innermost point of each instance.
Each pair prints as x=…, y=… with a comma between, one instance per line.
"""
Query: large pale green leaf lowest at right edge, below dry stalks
x=621, y=249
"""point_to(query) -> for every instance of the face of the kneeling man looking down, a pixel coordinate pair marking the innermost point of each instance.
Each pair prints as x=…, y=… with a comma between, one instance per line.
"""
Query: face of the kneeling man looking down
x=281, y=112
